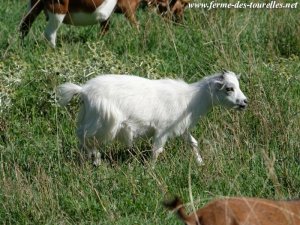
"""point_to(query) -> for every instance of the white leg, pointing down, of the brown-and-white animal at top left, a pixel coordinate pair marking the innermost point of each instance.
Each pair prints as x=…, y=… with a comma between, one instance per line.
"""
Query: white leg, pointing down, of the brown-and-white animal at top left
x=55, y=20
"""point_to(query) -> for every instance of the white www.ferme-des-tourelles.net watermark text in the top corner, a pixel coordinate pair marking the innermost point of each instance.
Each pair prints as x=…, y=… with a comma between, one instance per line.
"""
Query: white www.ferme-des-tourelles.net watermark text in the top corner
x=241, y=5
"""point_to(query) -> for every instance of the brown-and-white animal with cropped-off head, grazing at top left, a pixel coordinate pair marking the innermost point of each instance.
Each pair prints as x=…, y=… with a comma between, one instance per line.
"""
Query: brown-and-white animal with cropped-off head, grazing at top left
x=75, y=12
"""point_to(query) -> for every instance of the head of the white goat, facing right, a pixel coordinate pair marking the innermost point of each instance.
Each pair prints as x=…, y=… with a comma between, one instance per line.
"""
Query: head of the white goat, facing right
x=227, y=91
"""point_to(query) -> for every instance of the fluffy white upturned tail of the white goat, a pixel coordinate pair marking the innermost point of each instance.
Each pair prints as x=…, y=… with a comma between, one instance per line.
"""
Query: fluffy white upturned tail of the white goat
x=65, y=93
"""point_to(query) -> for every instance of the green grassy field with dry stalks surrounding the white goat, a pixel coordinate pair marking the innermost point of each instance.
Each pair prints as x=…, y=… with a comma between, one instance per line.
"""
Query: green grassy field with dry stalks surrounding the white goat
x=250, y=153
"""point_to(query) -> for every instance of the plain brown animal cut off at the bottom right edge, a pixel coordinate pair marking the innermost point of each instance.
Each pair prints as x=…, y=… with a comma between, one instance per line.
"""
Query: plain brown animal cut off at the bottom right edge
x=241, y=211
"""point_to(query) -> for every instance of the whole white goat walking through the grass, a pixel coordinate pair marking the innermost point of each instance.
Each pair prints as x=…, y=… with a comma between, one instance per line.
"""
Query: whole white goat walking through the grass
x=124, y=107
